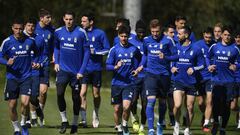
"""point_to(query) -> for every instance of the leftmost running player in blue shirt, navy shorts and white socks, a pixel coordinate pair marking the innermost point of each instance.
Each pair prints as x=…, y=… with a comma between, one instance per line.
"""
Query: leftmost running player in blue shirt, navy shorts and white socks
x=17, y=51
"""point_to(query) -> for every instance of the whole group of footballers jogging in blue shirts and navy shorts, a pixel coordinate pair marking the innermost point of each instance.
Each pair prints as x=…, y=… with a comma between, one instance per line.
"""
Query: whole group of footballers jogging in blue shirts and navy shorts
x=169, y=65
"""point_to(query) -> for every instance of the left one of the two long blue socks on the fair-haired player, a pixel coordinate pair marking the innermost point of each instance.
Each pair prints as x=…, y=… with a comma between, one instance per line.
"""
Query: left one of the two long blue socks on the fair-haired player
x=150, y=113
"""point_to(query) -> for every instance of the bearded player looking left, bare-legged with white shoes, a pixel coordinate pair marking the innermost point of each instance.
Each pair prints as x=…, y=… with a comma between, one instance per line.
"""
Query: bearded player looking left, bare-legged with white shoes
x=190, y=60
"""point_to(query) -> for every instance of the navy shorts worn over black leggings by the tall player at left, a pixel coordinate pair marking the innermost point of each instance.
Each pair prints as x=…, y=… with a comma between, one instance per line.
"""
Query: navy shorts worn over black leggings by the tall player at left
x=65, y=78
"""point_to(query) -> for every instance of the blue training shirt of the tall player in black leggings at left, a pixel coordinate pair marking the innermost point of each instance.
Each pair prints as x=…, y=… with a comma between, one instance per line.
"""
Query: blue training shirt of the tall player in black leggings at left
x=71, y=50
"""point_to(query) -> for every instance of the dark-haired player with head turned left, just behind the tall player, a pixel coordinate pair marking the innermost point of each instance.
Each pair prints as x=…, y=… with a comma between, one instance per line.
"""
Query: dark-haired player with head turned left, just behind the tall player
x=99, y=46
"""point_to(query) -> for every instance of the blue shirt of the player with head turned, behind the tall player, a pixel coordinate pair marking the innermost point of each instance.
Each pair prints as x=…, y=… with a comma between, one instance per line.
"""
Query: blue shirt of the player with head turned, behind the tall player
x=99, y=42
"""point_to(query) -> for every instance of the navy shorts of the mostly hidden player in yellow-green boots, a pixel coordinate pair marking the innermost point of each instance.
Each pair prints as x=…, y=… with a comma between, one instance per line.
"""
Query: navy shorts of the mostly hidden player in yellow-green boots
x=139, y=88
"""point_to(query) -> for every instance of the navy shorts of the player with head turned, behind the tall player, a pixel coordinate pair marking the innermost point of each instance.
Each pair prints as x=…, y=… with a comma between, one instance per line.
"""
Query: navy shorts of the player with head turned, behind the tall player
x=94, y=78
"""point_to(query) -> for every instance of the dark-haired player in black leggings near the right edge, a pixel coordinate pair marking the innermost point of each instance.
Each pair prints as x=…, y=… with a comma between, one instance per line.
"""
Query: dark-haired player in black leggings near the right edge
x=221, y=64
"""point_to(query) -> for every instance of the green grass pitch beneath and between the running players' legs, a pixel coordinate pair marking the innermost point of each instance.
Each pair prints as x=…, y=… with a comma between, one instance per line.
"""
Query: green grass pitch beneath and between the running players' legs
x=52, y=116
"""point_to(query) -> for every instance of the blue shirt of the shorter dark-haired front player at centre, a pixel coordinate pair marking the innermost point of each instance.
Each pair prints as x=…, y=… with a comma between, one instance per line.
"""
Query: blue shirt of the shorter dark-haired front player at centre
x=130, y=56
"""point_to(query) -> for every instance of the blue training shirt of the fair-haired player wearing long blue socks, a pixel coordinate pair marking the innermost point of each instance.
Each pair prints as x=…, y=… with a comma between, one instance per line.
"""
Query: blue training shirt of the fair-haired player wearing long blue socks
x=152, y=48
